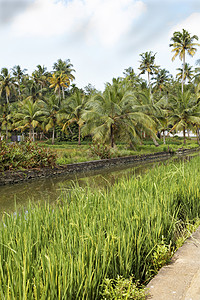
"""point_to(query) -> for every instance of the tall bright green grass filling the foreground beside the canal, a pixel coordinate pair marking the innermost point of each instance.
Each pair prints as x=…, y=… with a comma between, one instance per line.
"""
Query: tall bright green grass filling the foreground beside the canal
x=66, y=251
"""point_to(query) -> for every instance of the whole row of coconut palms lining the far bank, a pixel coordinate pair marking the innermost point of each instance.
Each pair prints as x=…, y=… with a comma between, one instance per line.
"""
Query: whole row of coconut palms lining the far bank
x=129, y=109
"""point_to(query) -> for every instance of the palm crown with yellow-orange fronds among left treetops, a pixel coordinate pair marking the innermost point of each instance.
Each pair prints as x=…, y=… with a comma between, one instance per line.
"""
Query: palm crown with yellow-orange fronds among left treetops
x=59, y=81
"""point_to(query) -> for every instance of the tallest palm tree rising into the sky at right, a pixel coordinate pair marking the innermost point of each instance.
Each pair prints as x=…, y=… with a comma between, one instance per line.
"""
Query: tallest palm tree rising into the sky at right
x=182, y=43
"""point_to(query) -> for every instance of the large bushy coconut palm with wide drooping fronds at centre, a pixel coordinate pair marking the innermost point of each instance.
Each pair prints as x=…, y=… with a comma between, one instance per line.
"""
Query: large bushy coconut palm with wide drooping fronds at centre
x=113, y=114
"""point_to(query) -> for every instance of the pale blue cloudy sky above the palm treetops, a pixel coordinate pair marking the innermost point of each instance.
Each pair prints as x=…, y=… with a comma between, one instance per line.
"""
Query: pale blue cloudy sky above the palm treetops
x=101, y=38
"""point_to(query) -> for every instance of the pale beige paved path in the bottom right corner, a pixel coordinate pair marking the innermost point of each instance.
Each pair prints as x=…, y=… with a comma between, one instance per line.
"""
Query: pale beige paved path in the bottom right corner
x=180, y=280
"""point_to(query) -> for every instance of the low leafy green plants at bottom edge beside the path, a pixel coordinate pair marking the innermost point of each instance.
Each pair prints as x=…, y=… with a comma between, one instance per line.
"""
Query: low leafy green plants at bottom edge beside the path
x=122, y=289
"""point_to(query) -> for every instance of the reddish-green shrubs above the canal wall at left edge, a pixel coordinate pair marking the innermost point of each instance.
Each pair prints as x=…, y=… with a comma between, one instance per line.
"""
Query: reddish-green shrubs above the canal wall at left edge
x=25, y=156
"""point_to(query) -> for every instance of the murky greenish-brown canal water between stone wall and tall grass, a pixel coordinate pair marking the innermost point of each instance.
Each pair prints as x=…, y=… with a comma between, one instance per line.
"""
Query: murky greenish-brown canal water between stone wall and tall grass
x=49, y=189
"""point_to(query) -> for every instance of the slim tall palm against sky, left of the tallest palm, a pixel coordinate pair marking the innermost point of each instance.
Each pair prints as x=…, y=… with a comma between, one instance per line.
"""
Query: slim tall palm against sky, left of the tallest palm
x=147, y=64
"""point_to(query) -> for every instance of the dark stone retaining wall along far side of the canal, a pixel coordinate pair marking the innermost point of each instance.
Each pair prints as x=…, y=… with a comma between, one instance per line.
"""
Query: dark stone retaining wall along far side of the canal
x=12, y=177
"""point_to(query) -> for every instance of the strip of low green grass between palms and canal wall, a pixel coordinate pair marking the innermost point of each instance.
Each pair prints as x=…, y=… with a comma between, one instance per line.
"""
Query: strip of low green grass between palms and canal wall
x=72, y=153
